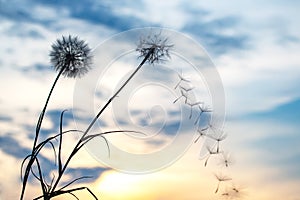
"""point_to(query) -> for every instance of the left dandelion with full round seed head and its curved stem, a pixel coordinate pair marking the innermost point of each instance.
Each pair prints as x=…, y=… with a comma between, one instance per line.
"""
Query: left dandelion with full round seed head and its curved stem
x=71, y=57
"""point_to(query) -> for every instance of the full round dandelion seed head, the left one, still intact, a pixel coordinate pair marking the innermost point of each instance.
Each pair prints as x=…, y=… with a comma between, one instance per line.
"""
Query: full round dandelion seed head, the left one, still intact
x=71, y=55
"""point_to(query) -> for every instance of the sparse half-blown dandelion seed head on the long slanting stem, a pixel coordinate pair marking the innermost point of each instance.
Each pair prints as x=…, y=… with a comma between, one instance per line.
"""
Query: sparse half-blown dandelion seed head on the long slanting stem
x=158, y=47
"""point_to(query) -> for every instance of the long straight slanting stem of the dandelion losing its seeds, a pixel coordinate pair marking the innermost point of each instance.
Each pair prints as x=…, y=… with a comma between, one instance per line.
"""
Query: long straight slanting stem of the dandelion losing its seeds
x=78, y=145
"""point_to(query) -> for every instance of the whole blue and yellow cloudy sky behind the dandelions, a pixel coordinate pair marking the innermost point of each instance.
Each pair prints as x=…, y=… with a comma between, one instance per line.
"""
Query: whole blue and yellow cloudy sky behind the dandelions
x=252, y=46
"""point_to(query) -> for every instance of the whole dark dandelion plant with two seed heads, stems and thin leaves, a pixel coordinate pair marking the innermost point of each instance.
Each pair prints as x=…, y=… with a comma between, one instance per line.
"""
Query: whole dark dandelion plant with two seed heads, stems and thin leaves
x=72, y=58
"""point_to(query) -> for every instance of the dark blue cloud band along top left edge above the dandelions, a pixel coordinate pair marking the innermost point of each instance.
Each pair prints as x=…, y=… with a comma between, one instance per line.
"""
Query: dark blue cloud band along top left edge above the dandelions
x=46, y=13
